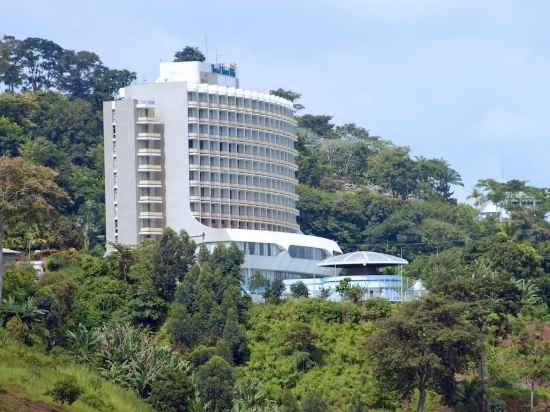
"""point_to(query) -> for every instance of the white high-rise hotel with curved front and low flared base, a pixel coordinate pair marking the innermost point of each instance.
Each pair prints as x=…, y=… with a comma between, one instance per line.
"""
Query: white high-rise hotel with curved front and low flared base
x=194, y=152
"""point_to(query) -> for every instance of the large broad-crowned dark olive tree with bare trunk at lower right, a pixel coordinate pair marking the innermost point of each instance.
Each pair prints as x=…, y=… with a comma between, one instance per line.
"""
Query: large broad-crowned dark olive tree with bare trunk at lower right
x=422, y=347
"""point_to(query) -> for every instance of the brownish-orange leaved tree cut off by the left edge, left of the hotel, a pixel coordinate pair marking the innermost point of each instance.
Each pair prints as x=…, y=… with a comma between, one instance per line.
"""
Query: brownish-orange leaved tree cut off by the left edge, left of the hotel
x=28, y=193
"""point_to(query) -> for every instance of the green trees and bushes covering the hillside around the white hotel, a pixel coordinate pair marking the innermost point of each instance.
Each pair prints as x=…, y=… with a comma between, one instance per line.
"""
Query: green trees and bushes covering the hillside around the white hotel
x=165, y=326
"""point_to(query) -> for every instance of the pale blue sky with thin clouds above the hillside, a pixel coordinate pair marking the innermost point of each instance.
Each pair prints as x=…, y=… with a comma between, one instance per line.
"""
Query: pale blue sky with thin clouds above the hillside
x=462, y=80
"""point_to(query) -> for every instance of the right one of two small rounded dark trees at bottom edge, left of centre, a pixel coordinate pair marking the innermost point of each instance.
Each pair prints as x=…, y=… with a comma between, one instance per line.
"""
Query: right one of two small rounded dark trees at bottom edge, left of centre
x=215, y=381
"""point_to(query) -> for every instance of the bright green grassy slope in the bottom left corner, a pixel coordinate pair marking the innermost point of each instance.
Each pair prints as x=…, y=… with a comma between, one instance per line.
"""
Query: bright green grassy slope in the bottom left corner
x=28, y=374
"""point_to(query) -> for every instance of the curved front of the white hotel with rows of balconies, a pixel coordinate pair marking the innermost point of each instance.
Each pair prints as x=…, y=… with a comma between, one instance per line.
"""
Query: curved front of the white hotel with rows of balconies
x=241, y=159
